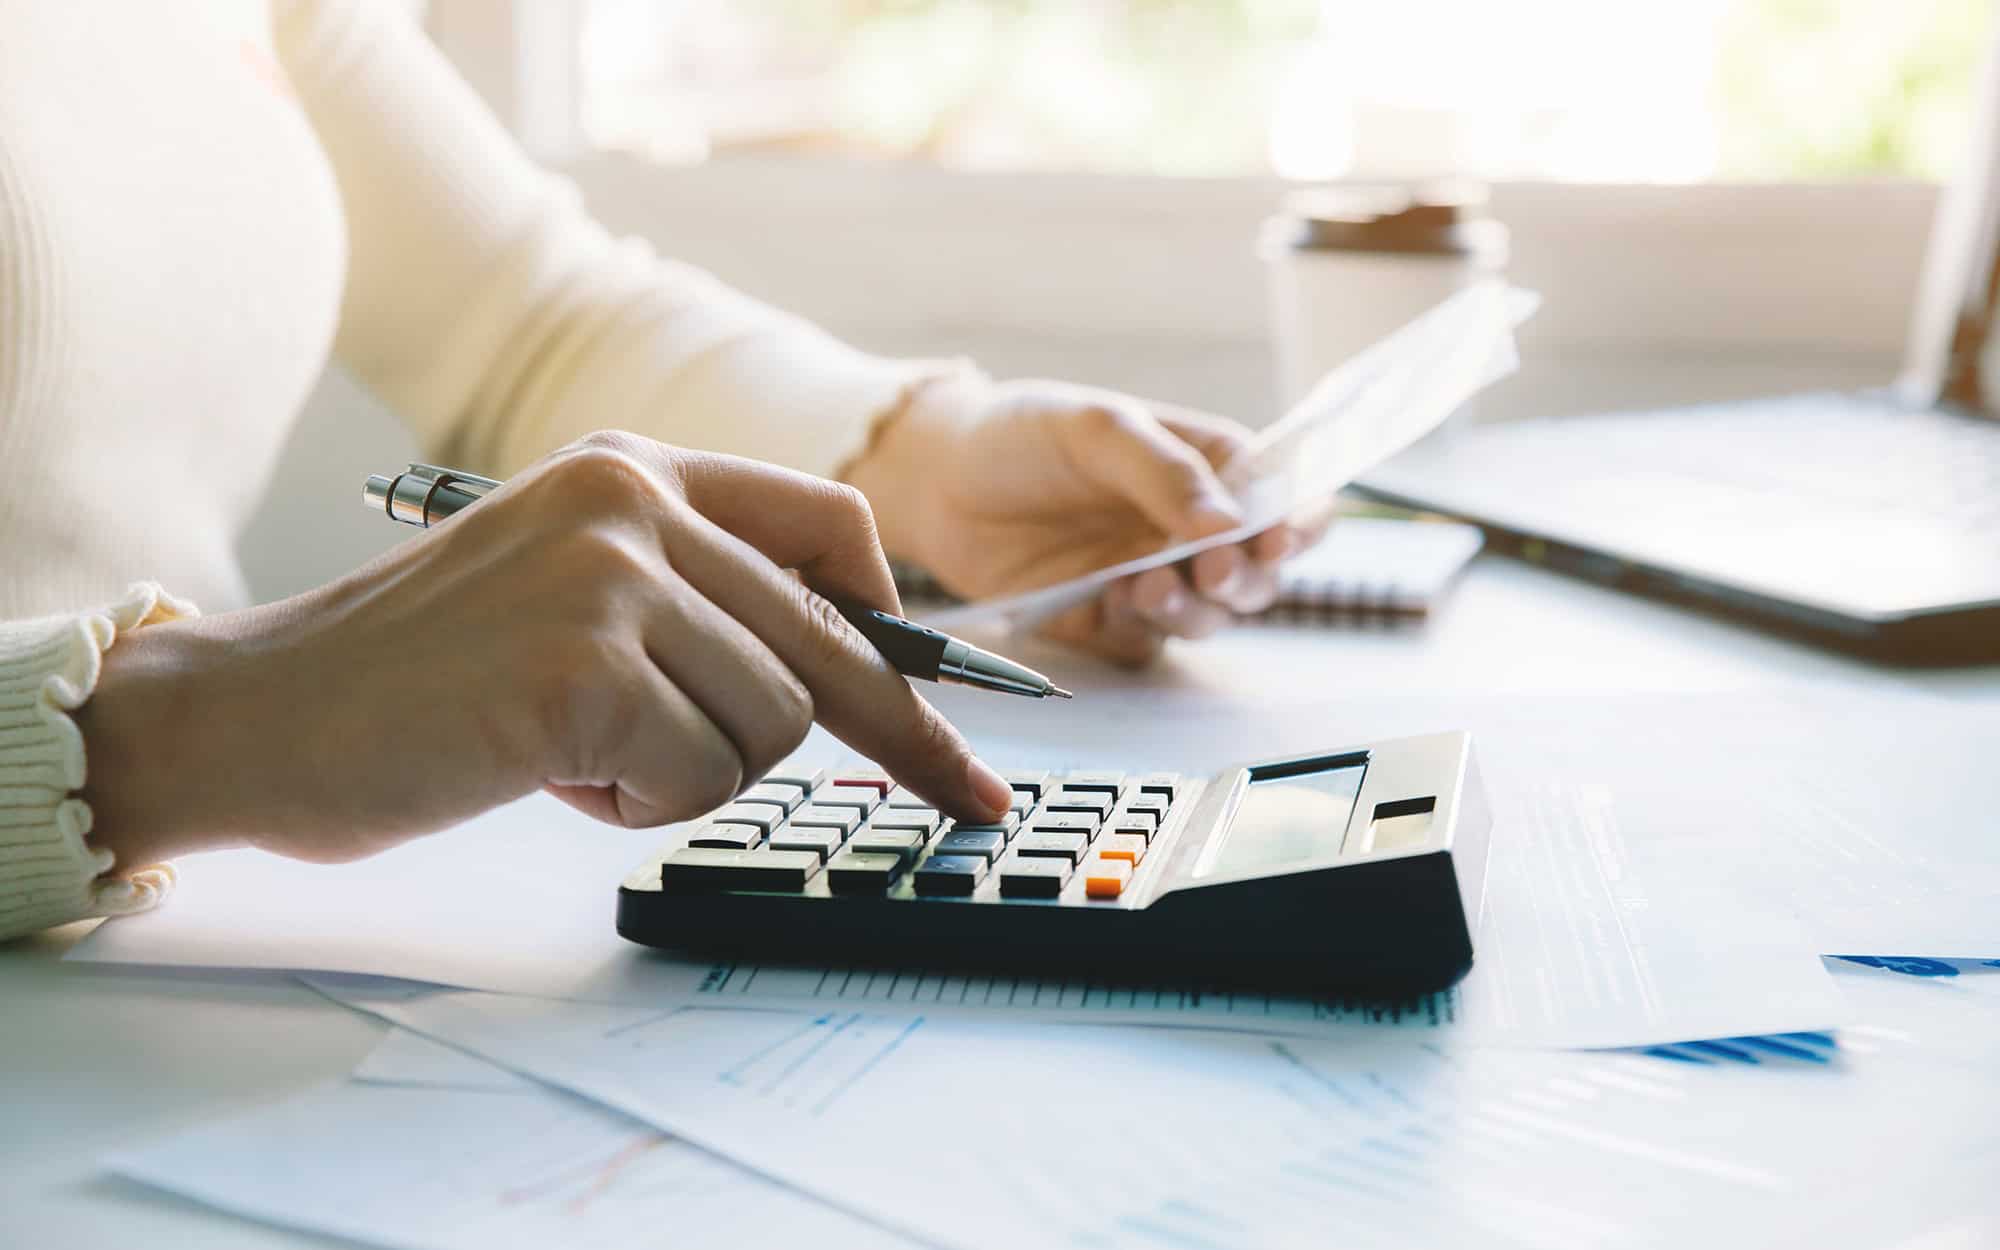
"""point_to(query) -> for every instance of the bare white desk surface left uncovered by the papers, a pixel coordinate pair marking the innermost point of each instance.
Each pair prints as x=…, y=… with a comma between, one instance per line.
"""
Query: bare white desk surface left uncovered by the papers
x=95, y=1057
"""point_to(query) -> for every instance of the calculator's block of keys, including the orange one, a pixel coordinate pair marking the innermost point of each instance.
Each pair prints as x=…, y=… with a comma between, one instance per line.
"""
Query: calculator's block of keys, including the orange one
x=861, y=835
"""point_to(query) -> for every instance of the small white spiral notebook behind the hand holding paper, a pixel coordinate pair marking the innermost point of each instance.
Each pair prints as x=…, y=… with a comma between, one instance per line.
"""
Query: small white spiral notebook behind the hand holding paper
x=1365, y=569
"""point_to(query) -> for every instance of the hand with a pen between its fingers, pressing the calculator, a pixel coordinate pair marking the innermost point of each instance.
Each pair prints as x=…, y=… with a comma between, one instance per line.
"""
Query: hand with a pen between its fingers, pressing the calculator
x=613, y=625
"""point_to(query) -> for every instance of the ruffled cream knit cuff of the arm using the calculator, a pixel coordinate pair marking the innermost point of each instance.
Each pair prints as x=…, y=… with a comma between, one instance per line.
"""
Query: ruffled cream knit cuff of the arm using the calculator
x=49, y=667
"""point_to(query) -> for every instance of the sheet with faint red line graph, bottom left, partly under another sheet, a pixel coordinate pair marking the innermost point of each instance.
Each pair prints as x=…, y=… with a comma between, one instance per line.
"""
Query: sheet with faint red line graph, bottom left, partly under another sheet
x=437, y=1151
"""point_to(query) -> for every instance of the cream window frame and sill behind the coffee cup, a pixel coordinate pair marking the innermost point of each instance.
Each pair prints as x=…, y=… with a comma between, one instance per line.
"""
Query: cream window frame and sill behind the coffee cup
x=1797, y=267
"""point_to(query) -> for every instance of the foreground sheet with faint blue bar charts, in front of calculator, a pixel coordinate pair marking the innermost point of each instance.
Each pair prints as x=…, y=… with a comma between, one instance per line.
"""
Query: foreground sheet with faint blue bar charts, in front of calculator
x=1117, y=1137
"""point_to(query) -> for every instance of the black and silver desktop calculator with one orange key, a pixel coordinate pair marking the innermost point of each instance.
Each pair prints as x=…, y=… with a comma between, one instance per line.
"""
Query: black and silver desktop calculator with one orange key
x=1353, y=873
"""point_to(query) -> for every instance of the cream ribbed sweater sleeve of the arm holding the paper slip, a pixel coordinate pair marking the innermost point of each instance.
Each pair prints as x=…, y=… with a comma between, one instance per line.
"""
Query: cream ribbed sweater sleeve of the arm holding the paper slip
x=501, y=321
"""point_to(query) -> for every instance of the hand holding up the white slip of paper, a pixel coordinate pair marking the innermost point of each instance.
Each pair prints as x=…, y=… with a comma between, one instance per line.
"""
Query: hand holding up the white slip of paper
x=1005, y=487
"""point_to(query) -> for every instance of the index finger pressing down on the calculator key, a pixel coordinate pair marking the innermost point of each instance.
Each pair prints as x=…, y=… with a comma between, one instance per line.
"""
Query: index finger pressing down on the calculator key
x=857, y=695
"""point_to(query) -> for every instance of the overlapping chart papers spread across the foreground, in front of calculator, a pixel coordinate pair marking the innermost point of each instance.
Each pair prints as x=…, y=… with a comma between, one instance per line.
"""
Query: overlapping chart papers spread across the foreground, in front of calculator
x=913, y=1131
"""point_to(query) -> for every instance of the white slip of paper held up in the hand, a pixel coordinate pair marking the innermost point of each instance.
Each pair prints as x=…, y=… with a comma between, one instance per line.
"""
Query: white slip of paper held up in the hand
x=1359, y=415
